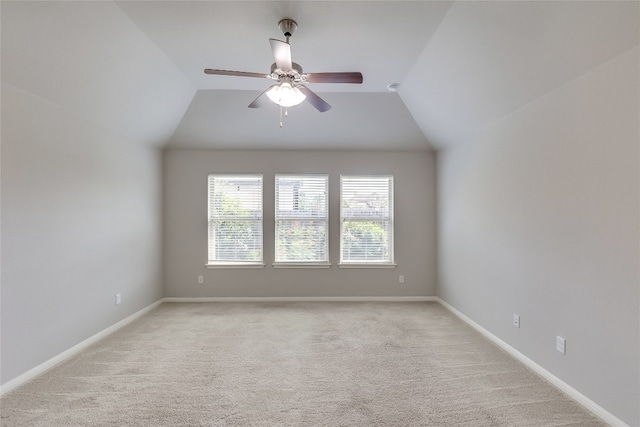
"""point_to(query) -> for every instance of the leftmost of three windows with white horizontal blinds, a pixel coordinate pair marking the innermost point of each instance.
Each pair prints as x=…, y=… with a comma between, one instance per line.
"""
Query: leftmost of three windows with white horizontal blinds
x=235, y=220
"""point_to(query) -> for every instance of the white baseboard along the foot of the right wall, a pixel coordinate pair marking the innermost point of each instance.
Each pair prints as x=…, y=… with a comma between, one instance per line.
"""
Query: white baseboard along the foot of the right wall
x=583, y=400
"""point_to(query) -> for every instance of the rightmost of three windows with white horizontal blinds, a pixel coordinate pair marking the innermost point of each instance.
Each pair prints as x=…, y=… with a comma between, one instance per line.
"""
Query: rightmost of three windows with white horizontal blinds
x=366, y=217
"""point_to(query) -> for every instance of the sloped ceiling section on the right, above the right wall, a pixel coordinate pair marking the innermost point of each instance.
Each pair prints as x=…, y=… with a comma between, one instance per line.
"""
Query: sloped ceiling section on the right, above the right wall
x=488, y=59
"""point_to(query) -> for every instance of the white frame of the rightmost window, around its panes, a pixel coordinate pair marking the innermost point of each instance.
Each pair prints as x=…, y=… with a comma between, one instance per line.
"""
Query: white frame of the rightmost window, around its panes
x=388, y=263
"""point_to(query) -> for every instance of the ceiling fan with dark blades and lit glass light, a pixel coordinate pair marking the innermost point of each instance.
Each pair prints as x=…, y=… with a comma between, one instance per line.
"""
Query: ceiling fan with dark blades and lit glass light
x=289, y=89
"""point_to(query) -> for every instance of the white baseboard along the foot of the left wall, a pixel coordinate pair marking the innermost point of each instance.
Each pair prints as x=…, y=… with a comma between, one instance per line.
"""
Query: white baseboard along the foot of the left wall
x=45, y=366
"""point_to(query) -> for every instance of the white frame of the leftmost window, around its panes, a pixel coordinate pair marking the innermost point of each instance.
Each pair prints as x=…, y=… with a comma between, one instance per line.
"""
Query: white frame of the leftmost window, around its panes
x=226, y=263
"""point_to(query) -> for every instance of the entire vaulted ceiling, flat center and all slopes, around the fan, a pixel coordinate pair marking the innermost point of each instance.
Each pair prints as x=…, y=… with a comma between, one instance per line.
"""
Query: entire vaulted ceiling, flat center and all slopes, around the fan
x=136, y=67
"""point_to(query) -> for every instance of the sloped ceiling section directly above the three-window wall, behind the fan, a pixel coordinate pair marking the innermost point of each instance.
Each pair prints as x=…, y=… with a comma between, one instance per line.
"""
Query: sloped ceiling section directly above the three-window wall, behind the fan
x=366, y=121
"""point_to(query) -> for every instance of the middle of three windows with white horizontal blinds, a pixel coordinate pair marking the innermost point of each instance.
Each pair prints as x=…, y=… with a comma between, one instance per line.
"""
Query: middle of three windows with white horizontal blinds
x=302, y=219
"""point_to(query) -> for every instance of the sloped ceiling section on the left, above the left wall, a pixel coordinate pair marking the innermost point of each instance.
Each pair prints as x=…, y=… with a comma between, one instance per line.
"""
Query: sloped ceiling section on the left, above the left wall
x=91, y=60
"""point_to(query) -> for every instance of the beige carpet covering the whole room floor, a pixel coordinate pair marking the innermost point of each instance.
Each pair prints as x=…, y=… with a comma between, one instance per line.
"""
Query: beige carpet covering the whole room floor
x=292, y=364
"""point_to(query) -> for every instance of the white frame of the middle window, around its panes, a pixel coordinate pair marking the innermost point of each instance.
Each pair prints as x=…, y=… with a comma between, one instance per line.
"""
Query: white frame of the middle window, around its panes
x=278, y=217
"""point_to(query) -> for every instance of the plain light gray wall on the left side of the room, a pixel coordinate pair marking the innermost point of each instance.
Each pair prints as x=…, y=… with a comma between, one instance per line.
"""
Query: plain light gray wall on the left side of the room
x=81, y=221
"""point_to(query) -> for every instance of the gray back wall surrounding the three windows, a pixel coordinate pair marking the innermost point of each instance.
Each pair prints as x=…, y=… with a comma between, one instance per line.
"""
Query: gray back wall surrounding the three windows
x=185, y=225
